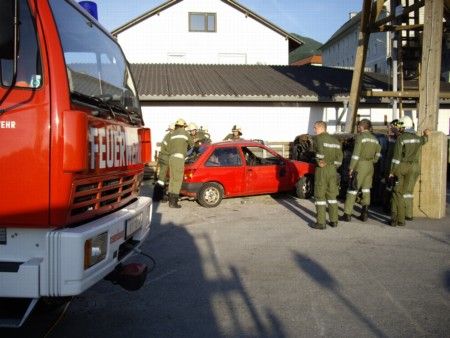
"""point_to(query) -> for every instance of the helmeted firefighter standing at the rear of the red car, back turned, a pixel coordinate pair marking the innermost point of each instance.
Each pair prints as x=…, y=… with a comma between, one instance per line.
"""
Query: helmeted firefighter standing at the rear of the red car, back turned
x=179, y=143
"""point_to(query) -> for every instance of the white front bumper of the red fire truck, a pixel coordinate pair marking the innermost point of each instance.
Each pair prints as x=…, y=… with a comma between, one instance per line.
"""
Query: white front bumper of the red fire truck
x=66, y=262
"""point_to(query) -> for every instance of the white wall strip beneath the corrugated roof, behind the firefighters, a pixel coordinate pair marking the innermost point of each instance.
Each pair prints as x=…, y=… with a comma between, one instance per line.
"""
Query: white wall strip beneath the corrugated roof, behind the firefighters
x=264, y=122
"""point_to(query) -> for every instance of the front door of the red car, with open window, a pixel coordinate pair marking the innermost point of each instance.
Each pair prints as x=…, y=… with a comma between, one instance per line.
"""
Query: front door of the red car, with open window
x=265, y=171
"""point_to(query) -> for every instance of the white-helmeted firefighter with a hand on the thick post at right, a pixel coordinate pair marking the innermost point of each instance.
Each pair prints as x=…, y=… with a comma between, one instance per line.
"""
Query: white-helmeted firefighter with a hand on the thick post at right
x=405, y=167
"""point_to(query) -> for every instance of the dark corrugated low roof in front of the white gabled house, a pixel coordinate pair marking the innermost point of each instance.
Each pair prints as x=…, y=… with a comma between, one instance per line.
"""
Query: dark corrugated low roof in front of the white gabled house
x=182, y=82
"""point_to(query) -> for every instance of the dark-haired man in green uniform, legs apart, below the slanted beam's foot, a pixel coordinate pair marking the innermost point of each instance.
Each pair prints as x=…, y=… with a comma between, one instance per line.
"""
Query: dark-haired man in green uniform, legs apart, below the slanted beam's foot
x=366, y=152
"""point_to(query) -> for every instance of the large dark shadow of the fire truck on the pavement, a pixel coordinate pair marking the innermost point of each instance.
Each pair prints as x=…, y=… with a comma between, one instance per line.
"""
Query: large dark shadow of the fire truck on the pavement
x=188, y=294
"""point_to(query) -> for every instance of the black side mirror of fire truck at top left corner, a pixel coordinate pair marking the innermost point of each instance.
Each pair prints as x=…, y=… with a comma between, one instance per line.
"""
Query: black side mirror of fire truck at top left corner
x=7, y=29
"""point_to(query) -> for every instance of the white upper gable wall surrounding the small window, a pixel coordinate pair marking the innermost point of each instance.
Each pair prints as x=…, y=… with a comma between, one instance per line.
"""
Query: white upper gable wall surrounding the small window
x=165, y=38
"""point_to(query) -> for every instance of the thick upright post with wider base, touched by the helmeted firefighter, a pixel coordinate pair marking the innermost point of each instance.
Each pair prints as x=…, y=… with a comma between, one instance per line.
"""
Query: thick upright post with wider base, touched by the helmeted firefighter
x=430, y=190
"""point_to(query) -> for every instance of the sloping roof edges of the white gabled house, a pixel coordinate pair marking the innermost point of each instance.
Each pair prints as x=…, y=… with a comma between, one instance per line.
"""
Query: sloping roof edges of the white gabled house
x=294, y=42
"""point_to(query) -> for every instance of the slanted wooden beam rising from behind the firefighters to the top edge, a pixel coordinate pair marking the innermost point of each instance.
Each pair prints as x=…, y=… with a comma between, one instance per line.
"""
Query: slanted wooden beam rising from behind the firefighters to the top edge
x=360, y=61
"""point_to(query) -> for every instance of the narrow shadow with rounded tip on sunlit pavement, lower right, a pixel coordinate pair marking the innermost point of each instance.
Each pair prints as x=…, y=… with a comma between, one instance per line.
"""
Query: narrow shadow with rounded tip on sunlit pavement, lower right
x=321, y=276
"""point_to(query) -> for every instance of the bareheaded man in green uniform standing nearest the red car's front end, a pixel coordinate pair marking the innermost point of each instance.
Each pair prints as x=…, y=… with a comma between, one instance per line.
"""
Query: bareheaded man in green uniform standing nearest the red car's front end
x=328, y=157
